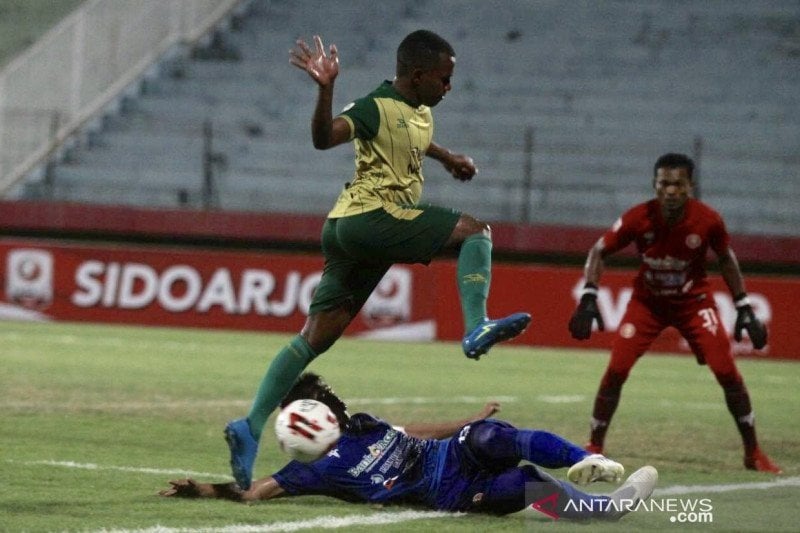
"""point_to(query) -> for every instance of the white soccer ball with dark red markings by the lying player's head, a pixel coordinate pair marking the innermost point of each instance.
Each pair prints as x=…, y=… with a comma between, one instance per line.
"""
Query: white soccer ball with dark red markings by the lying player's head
x=306, y=429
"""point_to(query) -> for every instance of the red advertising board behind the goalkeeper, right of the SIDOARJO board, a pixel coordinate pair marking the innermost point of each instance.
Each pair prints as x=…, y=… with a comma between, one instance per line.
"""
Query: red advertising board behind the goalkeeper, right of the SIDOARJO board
x=550, y=294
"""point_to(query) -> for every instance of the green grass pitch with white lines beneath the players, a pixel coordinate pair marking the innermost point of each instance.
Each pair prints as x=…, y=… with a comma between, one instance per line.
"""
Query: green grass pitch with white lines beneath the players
x=96, y=419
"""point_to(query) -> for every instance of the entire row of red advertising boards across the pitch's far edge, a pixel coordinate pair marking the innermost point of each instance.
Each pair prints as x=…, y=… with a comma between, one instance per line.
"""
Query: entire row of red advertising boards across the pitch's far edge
x=272, y=291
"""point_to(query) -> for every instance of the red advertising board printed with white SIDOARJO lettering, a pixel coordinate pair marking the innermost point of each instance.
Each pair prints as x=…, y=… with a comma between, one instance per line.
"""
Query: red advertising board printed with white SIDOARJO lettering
x=181, y=287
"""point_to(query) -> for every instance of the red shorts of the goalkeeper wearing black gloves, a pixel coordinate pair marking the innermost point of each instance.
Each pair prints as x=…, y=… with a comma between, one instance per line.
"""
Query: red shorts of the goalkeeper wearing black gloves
x=697, y=320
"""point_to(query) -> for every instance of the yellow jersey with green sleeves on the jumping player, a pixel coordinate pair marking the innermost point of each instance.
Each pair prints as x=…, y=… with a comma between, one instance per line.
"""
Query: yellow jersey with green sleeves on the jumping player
x=391, y=138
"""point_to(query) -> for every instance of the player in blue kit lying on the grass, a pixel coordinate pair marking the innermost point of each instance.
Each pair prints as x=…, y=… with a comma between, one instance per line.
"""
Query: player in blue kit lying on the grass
x=475, y=469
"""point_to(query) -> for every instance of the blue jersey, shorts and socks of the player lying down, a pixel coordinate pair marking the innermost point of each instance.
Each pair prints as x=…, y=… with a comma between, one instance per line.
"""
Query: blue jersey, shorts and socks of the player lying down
x=476, y=470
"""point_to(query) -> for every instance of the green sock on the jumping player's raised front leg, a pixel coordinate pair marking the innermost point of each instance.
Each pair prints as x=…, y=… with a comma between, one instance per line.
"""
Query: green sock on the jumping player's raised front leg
x=474, y=273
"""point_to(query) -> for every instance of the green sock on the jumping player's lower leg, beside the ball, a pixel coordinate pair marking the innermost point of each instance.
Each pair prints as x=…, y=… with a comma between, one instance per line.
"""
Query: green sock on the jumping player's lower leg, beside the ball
x=281, y=375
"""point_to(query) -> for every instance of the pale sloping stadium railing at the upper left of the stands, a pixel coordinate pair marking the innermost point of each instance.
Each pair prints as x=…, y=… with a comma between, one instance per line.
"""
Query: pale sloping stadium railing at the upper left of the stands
x=82, y=65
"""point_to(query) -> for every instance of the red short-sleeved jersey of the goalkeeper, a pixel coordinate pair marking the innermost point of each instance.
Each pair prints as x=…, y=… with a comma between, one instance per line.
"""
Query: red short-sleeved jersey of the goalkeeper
x=673, y=257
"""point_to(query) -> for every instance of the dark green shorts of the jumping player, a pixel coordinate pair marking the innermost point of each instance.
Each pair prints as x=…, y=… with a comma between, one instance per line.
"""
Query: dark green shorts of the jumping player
x=359, y=249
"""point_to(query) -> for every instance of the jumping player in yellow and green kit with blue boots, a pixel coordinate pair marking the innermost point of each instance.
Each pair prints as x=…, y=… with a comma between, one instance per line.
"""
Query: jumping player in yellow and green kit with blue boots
x=377, y=220
